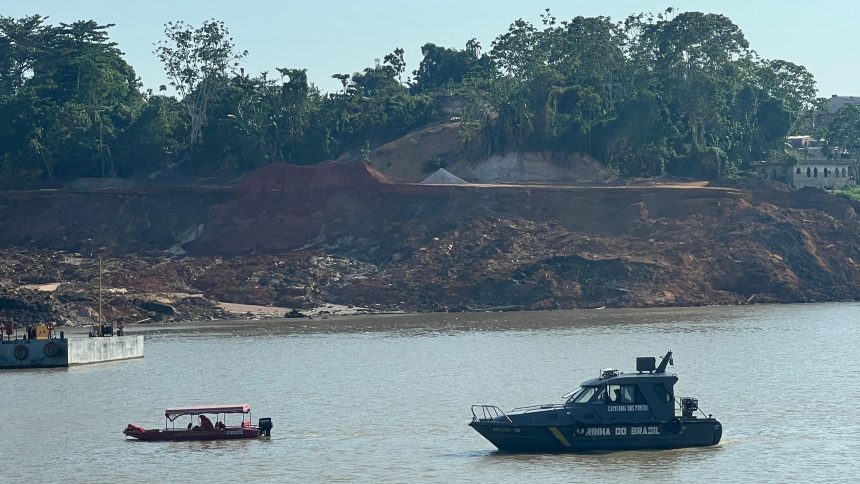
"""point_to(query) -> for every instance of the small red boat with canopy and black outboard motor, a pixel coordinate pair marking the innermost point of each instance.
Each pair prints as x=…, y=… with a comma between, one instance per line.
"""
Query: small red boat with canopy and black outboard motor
x=203, y=429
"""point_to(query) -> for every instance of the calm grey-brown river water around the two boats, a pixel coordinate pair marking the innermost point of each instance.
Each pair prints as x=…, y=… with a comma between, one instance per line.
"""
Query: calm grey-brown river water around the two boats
x=386, y=398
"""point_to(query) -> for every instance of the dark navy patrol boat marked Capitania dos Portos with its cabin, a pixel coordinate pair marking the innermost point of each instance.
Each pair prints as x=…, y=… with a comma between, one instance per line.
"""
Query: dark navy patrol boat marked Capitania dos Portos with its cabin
x=616, y=411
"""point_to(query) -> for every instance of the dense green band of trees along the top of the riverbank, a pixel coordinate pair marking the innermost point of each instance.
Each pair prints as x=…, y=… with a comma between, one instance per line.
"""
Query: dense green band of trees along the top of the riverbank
x=672, y=93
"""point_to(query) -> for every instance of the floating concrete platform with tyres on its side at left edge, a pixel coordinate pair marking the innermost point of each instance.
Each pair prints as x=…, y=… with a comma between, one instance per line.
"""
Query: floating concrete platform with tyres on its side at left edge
x=65, y=352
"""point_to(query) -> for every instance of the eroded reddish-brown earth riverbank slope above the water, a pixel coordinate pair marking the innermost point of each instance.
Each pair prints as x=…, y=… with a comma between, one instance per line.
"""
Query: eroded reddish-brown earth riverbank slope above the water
x=341, y=233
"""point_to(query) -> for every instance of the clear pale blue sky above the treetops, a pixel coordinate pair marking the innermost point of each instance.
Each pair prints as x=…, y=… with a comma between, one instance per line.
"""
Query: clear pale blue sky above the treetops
x=341, y=36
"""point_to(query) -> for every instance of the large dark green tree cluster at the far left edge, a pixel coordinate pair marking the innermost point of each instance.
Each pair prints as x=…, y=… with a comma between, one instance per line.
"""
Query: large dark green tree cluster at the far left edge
x=67, y=96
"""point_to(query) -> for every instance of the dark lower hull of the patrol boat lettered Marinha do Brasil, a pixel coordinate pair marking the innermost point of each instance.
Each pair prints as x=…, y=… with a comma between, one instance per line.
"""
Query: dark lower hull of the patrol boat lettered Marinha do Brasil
x=510, y=437
